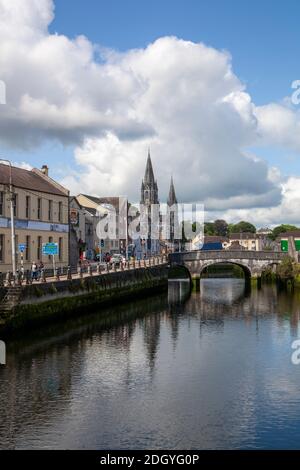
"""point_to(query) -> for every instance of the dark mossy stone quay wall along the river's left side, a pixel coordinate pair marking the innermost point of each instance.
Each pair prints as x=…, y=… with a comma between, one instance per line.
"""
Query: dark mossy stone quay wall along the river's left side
x=42, y=303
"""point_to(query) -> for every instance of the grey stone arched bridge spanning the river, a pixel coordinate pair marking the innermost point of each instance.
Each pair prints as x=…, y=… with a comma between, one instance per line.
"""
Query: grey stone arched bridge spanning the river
x=253, y=263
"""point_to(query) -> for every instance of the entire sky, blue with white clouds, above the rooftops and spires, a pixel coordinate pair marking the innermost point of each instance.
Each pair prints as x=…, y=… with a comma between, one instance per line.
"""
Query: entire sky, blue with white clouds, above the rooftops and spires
x=205, y=84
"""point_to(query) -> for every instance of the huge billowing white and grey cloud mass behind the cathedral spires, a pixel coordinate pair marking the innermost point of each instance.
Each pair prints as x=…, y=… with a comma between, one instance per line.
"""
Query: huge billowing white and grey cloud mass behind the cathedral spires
x=180, y=98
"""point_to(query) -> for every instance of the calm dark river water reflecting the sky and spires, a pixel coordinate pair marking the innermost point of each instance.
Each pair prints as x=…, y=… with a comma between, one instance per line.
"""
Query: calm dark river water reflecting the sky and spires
x=210, y=370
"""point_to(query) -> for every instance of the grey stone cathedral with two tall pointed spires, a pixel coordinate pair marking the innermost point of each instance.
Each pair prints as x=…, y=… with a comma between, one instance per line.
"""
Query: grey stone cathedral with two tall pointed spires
x=149, y=196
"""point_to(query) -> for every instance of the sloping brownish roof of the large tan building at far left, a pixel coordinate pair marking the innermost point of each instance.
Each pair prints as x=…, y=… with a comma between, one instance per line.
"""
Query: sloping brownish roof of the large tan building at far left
x=28, y=179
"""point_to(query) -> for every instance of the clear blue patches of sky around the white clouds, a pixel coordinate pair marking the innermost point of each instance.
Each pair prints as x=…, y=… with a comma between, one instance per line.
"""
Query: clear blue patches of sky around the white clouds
x=261, y=36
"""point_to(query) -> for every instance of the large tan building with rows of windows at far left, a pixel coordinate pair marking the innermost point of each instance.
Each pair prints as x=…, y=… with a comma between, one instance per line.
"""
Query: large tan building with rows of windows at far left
x=41, y=213
